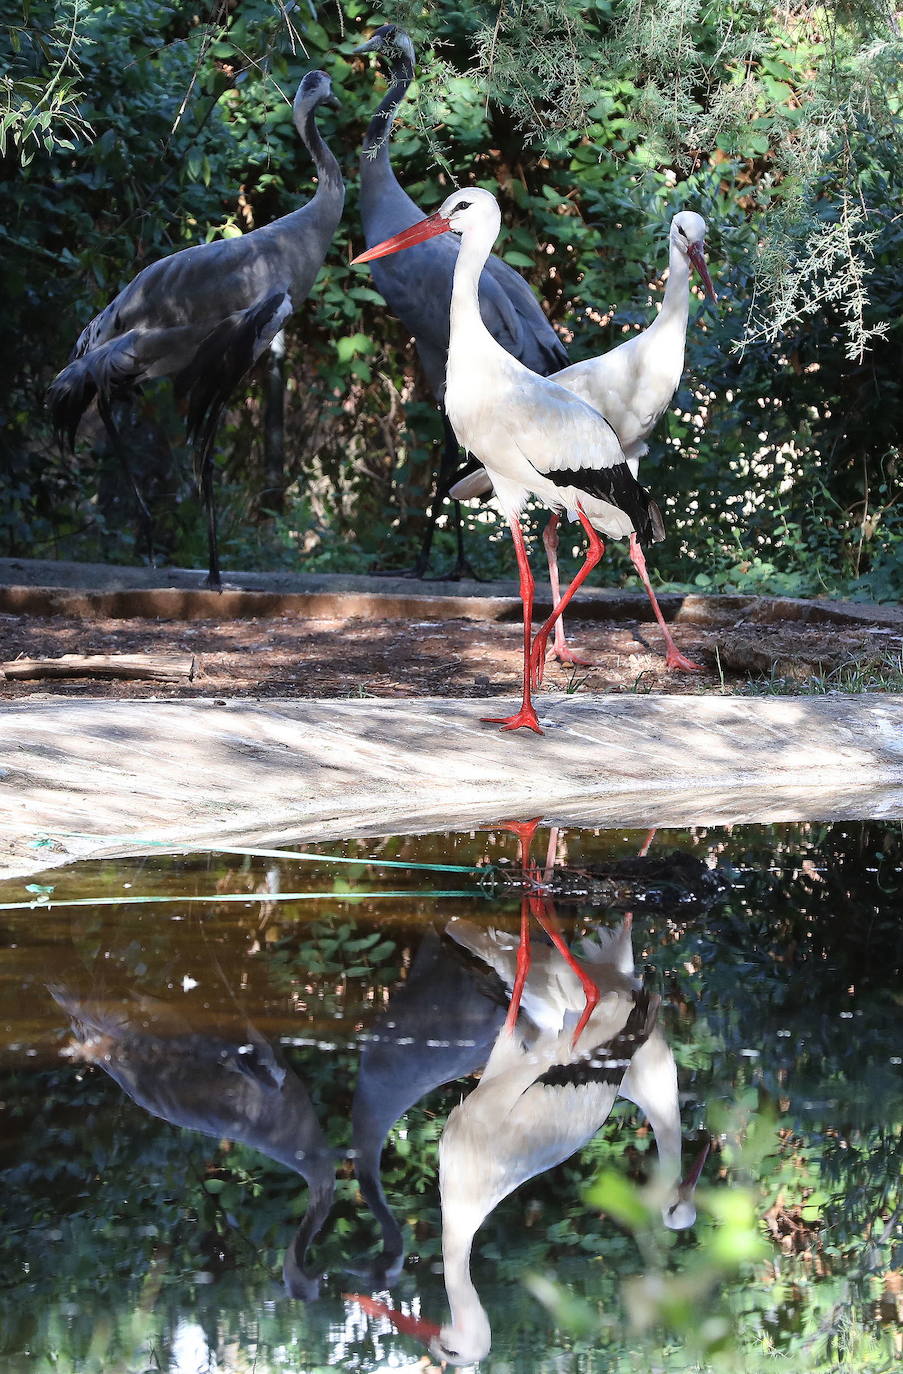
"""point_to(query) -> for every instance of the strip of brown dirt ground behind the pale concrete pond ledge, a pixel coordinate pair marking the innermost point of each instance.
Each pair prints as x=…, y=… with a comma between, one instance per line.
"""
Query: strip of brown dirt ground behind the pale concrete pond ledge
x=289, y=657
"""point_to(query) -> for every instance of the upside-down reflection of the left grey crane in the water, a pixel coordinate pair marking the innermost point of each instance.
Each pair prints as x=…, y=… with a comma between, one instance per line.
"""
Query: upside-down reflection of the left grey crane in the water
x=230, y=1086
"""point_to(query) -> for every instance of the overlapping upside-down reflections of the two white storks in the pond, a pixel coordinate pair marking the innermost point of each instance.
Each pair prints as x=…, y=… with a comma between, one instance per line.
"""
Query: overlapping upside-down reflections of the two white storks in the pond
x=546, y=1092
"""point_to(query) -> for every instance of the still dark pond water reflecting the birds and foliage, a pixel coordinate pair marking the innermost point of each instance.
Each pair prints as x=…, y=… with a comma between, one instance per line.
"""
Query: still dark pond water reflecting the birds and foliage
x=190, y=1088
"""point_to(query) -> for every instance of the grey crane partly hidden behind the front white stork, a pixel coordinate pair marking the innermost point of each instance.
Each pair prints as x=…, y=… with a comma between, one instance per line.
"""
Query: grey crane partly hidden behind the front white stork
x=419, y=291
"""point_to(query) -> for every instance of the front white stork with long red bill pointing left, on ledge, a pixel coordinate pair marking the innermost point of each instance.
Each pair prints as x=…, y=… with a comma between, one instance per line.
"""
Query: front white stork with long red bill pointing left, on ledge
x=533, y=436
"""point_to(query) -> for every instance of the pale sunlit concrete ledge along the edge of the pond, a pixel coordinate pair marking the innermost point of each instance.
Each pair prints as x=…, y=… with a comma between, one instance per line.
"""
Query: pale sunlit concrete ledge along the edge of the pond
x=96, y=778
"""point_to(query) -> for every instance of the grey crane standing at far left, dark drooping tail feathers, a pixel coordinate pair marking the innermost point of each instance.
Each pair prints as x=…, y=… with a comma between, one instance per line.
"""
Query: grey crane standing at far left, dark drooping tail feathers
x=207, y=314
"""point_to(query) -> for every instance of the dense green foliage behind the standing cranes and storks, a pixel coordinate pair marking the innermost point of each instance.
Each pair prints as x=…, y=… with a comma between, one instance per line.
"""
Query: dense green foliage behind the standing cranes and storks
x=779, y=466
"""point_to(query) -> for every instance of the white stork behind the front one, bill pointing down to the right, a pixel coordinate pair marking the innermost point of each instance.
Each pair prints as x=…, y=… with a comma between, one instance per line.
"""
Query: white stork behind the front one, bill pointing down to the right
x=633, y=387
